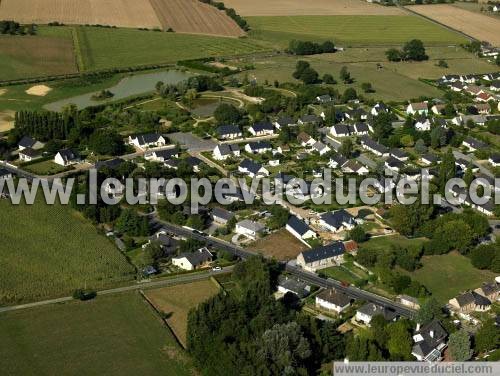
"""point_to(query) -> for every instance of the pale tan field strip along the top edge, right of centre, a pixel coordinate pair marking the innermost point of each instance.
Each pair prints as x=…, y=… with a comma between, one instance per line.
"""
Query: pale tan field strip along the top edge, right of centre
x=309, y=7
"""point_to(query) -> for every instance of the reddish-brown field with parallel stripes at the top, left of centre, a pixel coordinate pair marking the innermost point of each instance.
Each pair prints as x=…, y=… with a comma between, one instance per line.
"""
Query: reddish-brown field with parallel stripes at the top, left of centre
x=193, y=16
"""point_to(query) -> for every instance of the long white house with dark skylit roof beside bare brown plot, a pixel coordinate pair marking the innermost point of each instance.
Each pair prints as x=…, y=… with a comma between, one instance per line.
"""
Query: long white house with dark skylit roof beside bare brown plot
x=321, y=257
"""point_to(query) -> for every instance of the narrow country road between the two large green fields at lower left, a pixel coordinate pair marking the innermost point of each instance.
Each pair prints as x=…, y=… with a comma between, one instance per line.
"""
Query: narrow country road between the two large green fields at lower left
x=137, y=286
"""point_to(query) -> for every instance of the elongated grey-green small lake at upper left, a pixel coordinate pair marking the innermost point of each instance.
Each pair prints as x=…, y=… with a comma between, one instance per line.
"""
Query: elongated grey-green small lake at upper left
x=127, y=87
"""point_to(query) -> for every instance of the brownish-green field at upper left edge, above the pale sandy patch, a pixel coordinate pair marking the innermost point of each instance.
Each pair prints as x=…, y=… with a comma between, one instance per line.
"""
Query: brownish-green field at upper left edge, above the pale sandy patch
x=49, y=52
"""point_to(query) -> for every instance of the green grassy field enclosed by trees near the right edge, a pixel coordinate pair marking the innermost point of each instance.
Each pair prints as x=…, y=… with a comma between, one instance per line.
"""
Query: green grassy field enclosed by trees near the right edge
x=448, y=275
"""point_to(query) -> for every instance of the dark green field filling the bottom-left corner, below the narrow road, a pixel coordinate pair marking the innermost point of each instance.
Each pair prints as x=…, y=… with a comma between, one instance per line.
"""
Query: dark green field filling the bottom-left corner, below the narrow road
x=111, y=335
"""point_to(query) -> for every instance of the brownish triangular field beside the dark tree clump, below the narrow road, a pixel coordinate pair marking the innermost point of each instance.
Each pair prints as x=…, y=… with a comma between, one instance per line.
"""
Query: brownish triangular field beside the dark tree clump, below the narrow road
x=177, y=301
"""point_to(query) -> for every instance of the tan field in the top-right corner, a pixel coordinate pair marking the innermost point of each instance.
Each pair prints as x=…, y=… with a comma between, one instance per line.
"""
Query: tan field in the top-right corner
x=479, y=26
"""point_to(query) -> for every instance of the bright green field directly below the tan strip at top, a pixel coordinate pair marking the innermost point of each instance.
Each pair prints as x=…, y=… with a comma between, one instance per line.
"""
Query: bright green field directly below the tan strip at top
x=351, y=30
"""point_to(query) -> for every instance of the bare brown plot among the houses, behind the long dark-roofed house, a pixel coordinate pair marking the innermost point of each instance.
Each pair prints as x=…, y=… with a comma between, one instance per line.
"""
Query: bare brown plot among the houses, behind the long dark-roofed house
x=281, y=245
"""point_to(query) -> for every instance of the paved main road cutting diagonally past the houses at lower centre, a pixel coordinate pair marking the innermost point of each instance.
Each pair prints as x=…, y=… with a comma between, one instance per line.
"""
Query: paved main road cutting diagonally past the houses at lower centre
x=306, y=276
